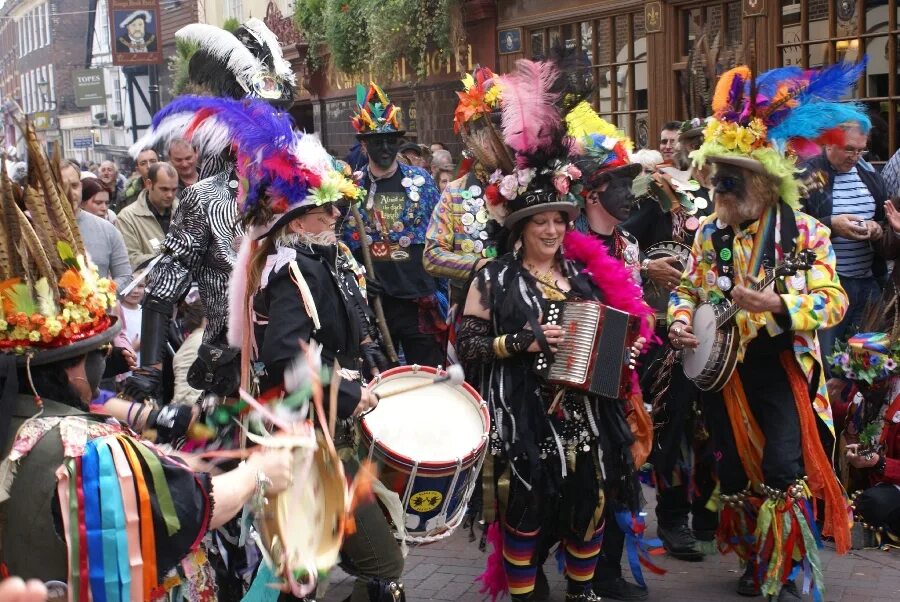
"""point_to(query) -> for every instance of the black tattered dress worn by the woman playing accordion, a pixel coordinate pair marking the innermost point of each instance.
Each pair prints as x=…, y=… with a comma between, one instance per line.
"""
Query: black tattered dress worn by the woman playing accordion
x=557, y=464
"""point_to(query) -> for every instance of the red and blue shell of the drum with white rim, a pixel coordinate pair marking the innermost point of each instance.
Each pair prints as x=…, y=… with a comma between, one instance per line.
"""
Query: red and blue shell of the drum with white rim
x=439, y=488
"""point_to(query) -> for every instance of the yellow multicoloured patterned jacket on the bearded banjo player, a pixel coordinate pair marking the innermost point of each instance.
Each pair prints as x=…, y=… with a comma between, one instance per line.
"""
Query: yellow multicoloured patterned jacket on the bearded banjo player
x=814, y=299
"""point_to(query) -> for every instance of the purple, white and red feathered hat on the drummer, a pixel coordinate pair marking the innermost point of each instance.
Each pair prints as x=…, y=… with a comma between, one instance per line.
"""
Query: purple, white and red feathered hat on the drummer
x=280, y=172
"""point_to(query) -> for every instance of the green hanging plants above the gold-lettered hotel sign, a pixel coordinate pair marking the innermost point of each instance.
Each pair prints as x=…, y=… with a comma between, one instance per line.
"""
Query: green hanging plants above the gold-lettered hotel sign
x=374, y=35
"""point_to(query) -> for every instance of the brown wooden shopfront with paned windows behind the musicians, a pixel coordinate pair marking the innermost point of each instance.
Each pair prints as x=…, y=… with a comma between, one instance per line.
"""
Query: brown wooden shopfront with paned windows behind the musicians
x=642, y=52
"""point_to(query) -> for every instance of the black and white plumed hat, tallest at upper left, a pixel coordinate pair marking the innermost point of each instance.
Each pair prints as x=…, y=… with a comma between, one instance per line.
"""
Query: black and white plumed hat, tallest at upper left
x=247, y=63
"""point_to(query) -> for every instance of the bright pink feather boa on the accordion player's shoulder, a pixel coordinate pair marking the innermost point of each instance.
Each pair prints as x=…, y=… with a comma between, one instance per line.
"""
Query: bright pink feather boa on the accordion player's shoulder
x=611, y=277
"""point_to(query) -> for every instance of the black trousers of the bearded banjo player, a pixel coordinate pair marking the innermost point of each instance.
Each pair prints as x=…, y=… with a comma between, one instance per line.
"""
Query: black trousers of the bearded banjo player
x=772, y=404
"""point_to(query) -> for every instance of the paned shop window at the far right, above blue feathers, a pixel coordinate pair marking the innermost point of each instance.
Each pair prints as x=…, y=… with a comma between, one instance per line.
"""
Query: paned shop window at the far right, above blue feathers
x=819, y=32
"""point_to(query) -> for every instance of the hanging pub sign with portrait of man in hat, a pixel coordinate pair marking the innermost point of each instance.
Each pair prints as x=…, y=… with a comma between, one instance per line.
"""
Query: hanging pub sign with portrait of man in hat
x=134, y=28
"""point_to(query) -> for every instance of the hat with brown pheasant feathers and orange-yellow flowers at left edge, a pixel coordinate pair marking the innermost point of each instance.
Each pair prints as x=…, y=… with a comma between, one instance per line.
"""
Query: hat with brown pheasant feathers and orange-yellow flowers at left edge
x=53, y=304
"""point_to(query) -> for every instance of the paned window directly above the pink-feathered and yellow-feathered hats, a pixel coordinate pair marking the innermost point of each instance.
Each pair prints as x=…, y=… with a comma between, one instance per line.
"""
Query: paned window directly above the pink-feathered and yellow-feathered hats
x=616, y=49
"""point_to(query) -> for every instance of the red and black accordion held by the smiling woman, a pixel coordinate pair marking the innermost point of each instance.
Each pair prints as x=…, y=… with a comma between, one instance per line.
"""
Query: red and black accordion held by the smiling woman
x=594, y=354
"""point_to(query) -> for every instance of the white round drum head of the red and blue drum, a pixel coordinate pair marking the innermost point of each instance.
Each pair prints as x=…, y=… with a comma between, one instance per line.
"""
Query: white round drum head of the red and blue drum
x=438, y=423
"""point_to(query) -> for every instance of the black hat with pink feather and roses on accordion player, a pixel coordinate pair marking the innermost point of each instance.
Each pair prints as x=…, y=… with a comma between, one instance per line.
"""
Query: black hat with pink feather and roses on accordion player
x=544, y=176
